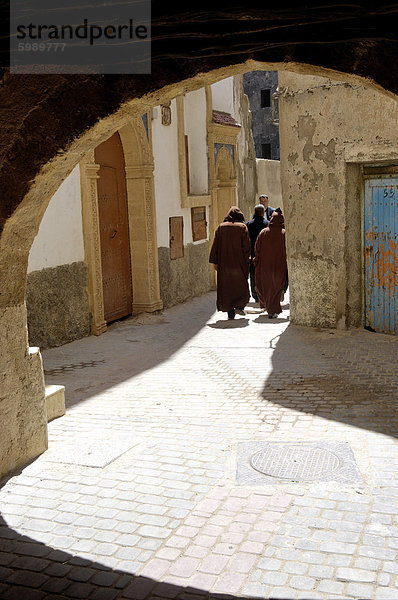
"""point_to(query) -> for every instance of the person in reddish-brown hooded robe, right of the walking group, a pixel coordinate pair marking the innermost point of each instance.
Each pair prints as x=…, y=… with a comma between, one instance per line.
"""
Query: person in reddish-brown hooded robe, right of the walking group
x=271, y=265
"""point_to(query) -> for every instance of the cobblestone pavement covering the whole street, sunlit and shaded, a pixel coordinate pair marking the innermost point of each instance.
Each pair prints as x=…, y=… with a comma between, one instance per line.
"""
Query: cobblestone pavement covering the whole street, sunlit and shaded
x=138, y=498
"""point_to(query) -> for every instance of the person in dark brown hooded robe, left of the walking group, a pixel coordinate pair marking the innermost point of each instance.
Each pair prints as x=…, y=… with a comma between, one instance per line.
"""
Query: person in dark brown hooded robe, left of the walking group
x=230, y=254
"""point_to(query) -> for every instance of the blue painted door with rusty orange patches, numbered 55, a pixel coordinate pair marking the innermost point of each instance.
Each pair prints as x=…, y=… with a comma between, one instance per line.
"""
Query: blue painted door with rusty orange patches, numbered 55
x=380, y=254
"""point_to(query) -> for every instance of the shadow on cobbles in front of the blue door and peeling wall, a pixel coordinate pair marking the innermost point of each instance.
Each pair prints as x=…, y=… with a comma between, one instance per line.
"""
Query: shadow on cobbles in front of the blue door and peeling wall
x=345, y=376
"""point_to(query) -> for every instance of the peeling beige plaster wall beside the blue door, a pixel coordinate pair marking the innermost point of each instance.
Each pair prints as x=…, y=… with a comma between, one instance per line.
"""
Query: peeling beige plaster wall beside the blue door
x=328, y=130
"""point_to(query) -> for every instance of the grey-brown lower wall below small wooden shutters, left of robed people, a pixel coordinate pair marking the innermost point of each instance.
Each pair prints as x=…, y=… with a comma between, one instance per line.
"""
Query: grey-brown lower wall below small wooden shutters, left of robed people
x=186, y=277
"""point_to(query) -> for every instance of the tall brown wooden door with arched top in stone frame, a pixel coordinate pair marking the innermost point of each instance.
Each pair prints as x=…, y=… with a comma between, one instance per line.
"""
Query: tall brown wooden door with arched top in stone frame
x=114, y=230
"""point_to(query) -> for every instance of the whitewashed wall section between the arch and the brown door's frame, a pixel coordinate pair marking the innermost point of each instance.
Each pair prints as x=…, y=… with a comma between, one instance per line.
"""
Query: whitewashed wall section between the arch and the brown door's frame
x=60, y=237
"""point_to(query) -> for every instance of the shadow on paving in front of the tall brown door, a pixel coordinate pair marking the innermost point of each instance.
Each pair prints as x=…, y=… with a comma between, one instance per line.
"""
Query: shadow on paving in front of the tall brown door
x=122, y=351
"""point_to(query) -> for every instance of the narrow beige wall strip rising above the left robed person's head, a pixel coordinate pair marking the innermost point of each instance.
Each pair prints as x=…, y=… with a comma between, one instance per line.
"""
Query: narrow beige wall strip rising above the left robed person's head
x=246, y=156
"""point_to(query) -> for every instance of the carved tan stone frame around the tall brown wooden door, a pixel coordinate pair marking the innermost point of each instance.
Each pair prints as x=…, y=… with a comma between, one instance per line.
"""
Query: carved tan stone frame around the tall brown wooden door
x=141, y=207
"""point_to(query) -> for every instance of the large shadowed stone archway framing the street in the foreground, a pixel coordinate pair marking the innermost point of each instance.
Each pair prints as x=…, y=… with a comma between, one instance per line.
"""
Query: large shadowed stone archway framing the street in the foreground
x=36, y=158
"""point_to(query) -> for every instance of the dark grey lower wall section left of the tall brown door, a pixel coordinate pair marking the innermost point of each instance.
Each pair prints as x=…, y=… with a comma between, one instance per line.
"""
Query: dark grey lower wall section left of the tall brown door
x=57, y=305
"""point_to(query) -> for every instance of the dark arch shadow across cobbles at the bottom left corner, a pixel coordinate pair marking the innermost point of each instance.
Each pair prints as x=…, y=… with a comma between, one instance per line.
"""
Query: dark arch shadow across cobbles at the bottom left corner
x=31, y=570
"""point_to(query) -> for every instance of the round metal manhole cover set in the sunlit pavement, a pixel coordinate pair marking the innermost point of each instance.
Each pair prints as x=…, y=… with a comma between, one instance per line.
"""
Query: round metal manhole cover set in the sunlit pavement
x=295, y=462
